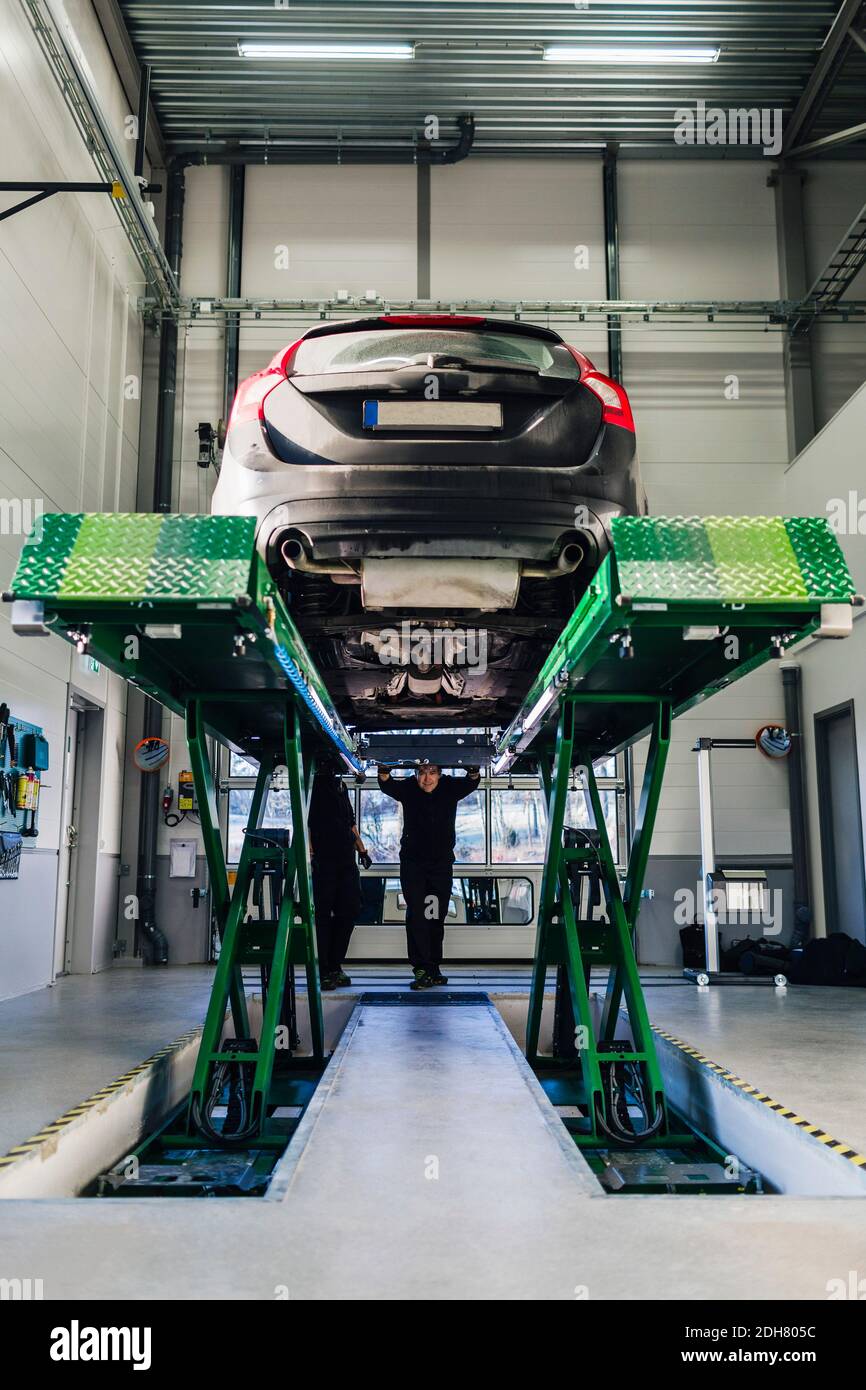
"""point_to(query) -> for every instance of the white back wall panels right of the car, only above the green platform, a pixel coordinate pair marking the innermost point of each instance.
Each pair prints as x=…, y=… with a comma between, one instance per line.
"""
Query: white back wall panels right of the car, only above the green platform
x=701, y=231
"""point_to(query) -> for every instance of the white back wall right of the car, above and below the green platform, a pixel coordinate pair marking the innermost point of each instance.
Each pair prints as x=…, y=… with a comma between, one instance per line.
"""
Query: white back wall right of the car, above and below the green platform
x=704, y=231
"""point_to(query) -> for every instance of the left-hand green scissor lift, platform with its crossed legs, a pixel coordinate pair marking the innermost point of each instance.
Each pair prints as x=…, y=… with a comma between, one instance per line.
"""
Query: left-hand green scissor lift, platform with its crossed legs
x=183, y=608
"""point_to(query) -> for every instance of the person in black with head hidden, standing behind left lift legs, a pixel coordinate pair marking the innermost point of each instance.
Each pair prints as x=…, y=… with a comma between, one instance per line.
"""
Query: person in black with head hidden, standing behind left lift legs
x=337, y=886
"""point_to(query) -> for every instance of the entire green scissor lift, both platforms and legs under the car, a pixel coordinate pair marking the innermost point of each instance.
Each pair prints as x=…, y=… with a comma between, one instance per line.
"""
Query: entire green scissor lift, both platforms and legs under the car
x=184, y=608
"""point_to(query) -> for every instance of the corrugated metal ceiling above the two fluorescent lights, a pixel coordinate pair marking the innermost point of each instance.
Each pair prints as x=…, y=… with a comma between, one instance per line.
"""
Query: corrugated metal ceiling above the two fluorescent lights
x=486, y=58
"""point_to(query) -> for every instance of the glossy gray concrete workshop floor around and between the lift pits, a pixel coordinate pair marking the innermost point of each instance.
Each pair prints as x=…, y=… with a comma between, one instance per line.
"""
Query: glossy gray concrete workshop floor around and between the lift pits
x=511, y=1214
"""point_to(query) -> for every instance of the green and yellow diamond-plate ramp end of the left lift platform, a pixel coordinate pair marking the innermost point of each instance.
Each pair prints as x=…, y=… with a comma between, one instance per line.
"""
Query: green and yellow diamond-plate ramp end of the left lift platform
x=137, y=557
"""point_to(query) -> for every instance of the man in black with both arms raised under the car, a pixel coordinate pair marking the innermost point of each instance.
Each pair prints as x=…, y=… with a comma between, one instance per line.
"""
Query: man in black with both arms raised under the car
x=427, y=857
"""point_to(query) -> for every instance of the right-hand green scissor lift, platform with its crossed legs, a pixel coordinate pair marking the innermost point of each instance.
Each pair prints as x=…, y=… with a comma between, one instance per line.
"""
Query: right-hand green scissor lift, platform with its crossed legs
x=680, y=610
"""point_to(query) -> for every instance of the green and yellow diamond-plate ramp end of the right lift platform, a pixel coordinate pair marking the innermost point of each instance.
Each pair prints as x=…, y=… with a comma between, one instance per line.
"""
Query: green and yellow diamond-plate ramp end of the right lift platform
x=730, y=559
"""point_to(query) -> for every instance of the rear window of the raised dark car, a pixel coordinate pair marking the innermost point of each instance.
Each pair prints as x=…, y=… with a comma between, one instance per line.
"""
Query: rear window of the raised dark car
x=389, y=348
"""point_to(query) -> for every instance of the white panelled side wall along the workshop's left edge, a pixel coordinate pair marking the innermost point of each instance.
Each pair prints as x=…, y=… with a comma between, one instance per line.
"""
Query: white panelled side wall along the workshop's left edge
x=69, y=439
